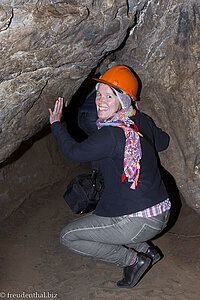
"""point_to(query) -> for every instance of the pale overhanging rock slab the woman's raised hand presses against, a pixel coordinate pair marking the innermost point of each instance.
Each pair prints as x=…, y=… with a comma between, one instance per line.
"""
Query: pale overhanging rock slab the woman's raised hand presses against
x=47, y=50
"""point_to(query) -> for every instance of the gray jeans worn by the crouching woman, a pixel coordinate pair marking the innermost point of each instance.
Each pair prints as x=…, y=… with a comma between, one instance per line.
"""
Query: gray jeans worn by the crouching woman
x=112, y=239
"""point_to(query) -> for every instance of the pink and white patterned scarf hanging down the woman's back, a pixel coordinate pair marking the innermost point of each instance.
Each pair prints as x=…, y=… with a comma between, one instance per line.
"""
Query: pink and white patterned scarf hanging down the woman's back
x=133, y=152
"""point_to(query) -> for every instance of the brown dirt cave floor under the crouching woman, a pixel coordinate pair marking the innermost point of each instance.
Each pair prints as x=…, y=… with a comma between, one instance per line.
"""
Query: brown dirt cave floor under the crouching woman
x=35, y=265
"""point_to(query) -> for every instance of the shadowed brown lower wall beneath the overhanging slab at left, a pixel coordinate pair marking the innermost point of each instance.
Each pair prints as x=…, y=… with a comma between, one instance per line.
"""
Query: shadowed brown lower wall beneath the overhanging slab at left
x=38, y=163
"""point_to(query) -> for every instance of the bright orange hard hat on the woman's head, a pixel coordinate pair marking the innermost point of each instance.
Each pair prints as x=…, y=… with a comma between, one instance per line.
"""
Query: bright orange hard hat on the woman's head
x=120, y=77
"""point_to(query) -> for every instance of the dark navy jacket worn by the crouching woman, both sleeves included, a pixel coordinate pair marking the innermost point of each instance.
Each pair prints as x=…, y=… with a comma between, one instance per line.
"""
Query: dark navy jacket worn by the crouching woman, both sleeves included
x=107, y=146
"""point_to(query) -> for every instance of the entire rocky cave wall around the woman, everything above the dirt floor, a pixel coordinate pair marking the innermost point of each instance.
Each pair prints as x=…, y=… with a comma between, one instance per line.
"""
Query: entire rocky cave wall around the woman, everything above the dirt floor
x=48, y=48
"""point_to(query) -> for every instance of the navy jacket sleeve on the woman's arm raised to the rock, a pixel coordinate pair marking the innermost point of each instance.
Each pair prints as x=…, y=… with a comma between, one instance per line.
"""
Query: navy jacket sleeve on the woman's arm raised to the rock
x=97, y=146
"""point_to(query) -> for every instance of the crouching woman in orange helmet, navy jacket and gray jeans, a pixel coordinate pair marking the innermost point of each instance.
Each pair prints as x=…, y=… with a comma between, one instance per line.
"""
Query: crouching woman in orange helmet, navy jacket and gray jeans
x=134, y=207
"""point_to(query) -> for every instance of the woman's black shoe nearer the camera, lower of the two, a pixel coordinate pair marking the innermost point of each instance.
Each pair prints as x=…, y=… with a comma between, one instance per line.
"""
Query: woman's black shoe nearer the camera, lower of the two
x=133, y=273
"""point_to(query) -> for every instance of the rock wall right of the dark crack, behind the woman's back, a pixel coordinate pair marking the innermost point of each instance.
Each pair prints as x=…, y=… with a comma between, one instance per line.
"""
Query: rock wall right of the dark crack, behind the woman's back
x=163, y=48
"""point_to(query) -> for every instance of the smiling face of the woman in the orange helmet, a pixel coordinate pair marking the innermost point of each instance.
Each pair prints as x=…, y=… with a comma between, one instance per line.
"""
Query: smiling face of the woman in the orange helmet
x=106, y=101
